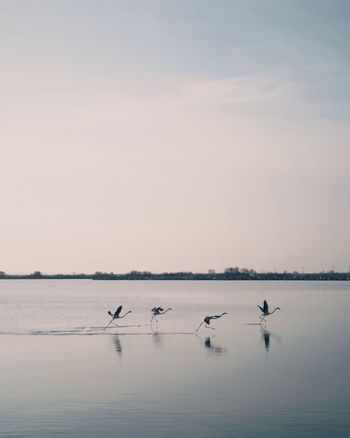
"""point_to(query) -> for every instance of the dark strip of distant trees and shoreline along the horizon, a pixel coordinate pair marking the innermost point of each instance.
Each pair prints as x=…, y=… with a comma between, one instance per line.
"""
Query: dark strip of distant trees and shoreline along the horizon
x=229, y=274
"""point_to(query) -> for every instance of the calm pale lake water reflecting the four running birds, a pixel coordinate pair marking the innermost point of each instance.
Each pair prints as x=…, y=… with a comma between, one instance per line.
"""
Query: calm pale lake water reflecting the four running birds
x=61, y=375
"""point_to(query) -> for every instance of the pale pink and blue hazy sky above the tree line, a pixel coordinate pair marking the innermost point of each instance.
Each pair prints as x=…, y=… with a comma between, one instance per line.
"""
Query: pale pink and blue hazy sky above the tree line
x=174, y=135
